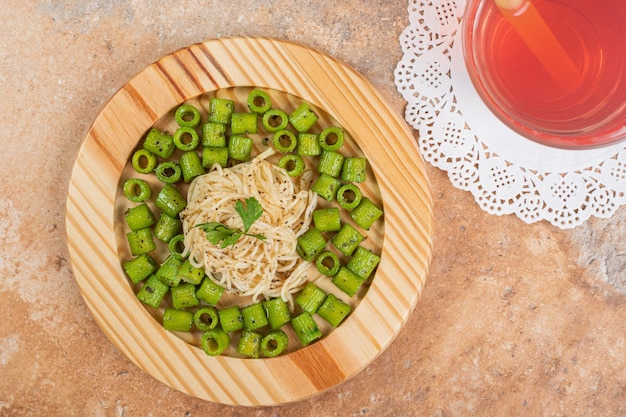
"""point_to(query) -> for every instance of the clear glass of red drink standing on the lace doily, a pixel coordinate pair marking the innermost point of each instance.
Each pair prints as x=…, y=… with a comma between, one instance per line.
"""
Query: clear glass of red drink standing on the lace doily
x=552, y=70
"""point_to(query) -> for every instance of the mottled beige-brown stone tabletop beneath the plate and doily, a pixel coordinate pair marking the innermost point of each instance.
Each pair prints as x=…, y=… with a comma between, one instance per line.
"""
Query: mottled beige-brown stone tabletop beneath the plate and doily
x=515, y=319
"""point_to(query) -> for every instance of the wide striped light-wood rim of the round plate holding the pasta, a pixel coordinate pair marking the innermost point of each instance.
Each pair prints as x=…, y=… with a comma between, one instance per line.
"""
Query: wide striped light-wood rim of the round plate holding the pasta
x=382, y=137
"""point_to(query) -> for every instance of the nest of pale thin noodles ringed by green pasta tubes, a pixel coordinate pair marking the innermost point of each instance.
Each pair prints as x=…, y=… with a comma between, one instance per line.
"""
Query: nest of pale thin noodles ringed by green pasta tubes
x=261, y=269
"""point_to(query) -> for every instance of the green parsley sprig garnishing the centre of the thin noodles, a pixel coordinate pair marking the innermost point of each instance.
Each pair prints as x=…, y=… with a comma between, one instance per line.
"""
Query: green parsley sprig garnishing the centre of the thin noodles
x=218, y=234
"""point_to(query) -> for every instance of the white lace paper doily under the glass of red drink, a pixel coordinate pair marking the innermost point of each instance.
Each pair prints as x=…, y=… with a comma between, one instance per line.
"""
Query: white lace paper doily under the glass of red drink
x=506, y=173
